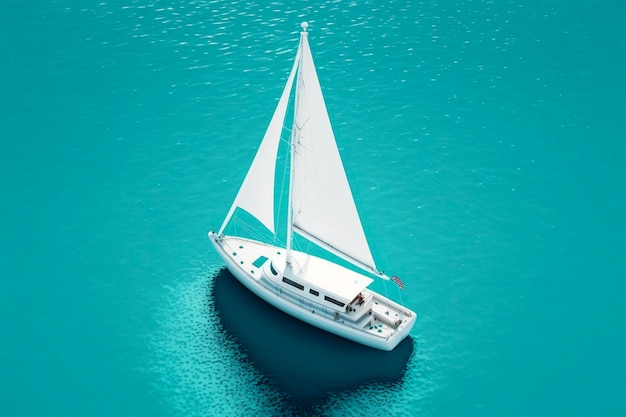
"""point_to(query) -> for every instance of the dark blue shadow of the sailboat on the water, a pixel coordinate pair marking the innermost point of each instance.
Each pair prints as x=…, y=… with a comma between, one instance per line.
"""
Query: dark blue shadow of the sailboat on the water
x=302, y=361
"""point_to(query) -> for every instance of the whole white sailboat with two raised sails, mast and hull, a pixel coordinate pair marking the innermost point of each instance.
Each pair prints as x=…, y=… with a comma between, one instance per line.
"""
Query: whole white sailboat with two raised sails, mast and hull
x=320, y=209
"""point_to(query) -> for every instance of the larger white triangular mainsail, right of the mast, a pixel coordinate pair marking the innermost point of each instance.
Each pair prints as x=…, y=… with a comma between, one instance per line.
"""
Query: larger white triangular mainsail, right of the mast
x=323, y=208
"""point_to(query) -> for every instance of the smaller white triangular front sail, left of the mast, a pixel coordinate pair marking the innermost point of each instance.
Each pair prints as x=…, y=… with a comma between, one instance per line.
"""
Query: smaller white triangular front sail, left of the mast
x=256, y=194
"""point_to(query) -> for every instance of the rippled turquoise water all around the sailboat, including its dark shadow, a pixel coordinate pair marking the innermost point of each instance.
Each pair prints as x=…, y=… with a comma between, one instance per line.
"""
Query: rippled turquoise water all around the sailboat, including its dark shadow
x=486, y=145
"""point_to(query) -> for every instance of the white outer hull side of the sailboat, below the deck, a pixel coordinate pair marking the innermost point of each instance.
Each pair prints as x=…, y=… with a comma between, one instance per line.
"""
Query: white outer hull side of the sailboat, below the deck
x=313, y=316
